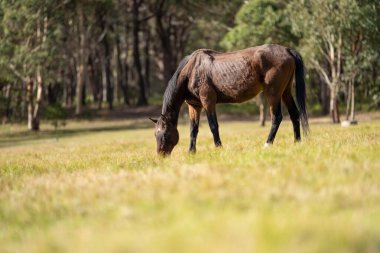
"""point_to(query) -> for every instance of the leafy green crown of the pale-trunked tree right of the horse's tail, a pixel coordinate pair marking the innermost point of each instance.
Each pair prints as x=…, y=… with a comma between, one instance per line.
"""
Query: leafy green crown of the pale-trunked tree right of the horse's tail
x=330, y=27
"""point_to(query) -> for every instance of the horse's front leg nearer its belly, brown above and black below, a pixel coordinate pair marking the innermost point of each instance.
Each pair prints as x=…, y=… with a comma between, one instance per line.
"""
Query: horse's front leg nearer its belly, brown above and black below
x=208, y=100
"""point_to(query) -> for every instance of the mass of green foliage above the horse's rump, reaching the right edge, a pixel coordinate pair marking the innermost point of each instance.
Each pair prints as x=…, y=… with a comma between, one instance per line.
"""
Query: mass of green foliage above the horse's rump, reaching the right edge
x=338, y=39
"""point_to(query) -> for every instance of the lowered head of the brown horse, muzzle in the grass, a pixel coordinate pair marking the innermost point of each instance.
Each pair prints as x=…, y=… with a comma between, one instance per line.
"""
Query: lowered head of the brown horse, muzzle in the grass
x=166, y=135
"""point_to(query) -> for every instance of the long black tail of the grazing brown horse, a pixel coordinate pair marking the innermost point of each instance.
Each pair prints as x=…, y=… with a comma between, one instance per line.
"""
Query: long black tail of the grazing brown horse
x=300, y=90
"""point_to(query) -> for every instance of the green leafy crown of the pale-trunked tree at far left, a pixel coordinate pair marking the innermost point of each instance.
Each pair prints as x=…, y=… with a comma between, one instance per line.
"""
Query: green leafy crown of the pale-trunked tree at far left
x=22, y=28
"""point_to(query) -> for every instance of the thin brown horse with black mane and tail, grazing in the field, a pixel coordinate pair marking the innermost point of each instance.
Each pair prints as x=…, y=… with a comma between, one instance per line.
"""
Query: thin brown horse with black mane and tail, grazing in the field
x=206, y=78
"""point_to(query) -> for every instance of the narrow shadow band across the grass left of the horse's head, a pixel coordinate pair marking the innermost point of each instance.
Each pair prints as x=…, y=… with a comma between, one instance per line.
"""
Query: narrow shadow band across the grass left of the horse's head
x=25, y=136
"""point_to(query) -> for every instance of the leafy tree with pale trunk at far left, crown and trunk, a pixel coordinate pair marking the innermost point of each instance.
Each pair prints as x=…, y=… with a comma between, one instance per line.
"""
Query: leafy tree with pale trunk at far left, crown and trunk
x=28, y=48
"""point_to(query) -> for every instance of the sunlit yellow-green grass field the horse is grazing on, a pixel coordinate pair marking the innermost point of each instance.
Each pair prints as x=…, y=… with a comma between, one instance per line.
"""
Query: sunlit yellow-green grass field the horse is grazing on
x=99, y=187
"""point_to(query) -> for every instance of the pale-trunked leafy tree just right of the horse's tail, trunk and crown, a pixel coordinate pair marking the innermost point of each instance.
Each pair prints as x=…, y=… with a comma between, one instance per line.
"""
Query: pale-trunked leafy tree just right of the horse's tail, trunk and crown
x=332, y=36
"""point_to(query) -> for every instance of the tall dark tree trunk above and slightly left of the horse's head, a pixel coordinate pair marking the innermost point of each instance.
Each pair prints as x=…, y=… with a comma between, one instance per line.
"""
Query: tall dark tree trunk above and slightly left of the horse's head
x=142, y=100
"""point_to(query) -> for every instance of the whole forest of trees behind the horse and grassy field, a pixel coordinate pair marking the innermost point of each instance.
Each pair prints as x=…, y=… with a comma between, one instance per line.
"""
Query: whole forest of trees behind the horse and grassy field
x=65, y=58
